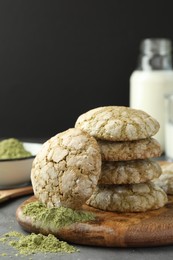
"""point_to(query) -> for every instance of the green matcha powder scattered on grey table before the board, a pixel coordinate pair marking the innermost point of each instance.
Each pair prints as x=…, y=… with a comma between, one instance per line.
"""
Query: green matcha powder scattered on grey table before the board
x=35, y=243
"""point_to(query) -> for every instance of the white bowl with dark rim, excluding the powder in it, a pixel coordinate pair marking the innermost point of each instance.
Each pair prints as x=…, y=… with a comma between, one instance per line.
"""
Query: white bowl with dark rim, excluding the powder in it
x=14, y=172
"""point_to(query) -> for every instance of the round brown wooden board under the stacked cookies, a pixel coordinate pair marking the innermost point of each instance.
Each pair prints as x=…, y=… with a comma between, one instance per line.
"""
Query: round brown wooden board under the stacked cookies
x=109, y=229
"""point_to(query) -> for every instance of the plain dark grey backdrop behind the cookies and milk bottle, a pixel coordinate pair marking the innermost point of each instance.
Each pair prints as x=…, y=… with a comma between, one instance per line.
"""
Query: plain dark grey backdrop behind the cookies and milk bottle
x=59, y=59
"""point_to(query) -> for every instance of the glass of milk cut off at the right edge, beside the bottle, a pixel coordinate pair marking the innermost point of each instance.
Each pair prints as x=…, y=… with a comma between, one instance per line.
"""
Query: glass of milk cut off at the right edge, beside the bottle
x=169, y=127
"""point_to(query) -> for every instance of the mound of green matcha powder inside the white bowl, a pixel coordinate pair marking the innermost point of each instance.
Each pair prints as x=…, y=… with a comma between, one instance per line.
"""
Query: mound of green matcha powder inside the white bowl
x=12, y=148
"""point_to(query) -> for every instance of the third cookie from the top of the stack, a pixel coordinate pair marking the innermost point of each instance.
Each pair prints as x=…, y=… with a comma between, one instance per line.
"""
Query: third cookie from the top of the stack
x=129, y=172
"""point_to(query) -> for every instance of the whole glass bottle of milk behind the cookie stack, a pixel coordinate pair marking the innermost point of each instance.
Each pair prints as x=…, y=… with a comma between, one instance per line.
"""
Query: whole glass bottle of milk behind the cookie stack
x=152, y=79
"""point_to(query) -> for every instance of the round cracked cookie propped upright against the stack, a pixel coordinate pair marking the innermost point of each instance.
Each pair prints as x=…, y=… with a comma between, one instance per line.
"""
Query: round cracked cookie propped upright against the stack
x=66, y=170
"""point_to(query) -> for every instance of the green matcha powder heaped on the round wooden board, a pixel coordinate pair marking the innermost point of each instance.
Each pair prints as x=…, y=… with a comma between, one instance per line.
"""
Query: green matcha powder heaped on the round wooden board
x=55, y=217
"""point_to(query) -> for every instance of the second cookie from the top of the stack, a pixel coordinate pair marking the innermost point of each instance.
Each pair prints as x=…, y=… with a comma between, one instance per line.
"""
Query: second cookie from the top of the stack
x=129, y=150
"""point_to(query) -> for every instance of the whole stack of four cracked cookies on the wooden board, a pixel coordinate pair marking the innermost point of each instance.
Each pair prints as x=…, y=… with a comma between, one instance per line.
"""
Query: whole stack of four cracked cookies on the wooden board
x=128, y=149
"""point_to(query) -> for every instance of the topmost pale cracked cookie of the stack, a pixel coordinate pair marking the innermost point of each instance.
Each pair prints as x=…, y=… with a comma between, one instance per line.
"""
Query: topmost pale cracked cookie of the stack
x=117, y=123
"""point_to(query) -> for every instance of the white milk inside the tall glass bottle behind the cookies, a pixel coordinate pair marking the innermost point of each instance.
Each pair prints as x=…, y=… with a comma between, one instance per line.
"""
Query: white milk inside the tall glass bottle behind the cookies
x=147, y=91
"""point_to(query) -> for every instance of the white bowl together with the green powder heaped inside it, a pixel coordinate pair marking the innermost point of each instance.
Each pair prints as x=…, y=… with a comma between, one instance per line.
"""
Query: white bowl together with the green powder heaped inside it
x=16, y=170
